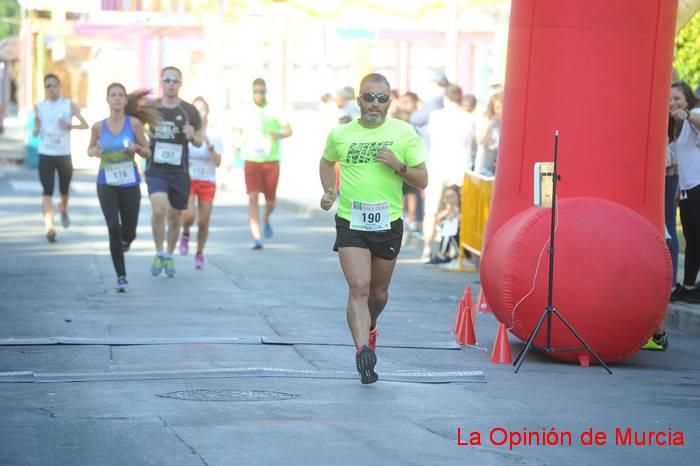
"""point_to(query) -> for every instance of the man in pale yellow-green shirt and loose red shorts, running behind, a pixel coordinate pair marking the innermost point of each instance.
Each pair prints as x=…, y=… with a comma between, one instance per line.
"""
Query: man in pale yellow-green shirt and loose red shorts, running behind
x=263, y=130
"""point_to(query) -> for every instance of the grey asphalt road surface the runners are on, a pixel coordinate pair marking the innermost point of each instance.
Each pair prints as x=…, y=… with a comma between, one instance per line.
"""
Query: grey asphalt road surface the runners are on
x=181, y=371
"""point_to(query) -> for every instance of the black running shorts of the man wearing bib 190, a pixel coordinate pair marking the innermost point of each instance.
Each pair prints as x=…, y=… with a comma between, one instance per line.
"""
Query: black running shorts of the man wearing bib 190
x=383, y=244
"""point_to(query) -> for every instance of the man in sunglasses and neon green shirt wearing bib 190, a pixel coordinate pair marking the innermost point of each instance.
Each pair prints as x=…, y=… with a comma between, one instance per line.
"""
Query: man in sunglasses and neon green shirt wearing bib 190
x=376, y=155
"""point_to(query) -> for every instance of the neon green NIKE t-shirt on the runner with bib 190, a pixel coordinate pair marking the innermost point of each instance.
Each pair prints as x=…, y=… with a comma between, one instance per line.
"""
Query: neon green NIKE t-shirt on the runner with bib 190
x=361, y=177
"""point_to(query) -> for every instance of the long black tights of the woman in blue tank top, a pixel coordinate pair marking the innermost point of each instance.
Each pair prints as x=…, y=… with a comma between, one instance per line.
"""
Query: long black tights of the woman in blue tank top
x=120, y=203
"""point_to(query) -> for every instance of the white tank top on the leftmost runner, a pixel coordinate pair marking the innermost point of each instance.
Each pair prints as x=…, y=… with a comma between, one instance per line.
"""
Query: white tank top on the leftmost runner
x=53, y=140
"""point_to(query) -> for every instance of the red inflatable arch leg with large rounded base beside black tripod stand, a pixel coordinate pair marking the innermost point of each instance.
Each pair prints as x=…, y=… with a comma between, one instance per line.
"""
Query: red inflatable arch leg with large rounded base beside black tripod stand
x=599, y=72
